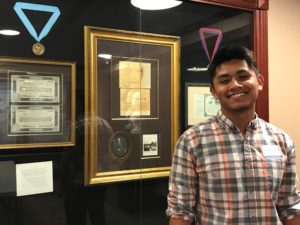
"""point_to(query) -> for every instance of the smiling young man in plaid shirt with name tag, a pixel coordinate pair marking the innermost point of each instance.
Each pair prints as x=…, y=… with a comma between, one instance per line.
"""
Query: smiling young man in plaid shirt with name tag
x=234, y=168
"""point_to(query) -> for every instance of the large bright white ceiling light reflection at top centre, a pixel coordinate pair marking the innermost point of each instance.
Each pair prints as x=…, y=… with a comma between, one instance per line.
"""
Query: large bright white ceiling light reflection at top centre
x=155, y=4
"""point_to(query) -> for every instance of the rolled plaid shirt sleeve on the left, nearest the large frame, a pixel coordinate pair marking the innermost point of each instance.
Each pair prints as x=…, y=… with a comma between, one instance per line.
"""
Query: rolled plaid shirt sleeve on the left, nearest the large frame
x=182, y=182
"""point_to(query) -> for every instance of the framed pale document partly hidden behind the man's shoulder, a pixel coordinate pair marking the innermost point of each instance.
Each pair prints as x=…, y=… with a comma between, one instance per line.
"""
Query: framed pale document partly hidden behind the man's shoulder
x=200, y=103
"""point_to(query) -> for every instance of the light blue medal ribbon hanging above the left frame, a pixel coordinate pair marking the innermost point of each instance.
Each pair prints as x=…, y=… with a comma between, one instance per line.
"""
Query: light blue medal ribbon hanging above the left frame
x=20, y=6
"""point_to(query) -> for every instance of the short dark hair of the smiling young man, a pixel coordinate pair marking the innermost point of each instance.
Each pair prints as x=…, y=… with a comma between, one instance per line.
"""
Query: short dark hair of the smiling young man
x=230, y=52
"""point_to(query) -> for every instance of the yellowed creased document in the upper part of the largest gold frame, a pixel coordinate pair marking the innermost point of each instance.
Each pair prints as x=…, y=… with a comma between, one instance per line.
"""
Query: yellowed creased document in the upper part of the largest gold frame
x=136, y=89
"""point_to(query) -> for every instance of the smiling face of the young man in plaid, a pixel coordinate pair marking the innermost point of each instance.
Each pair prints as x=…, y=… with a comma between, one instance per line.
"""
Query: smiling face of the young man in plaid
x=236, y=86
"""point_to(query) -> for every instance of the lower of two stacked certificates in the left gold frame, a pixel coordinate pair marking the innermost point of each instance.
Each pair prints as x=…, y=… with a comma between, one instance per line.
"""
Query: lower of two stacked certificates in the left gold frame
x=32, y=119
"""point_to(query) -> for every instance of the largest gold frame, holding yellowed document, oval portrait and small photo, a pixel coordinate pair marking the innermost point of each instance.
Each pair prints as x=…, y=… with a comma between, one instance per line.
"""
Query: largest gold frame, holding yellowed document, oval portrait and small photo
x=131, y=97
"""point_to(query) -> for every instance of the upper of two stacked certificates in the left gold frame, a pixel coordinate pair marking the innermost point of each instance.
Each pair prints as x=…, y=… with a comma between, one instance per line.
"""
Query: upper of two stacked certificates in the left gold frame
x=34, y=88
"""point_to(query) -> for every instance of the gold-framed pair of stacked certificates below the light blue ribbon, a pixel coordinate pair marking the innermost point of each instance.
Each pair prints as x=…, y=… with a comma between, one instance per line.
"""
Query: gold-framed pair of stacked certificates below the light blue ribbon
x=37, y=103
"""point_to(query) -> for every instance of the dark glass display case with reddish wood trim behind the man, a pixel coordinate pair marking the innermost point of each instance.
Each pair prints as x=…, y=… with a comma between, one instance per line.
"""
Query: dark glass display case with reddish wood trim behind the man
x=94, y=96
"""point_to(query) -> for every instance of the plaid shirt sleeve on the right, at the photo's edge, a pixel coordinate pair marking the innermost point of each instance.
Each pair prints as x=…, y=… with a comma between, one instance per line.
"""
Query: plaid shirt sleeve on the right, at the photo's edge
x=288, y=204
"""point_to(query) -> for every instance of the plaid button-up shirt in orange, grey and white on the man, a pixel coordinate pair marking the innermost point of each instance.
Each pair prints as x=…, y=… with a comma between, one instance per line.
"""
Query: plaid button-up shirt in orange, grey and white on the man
x=220, y=177
